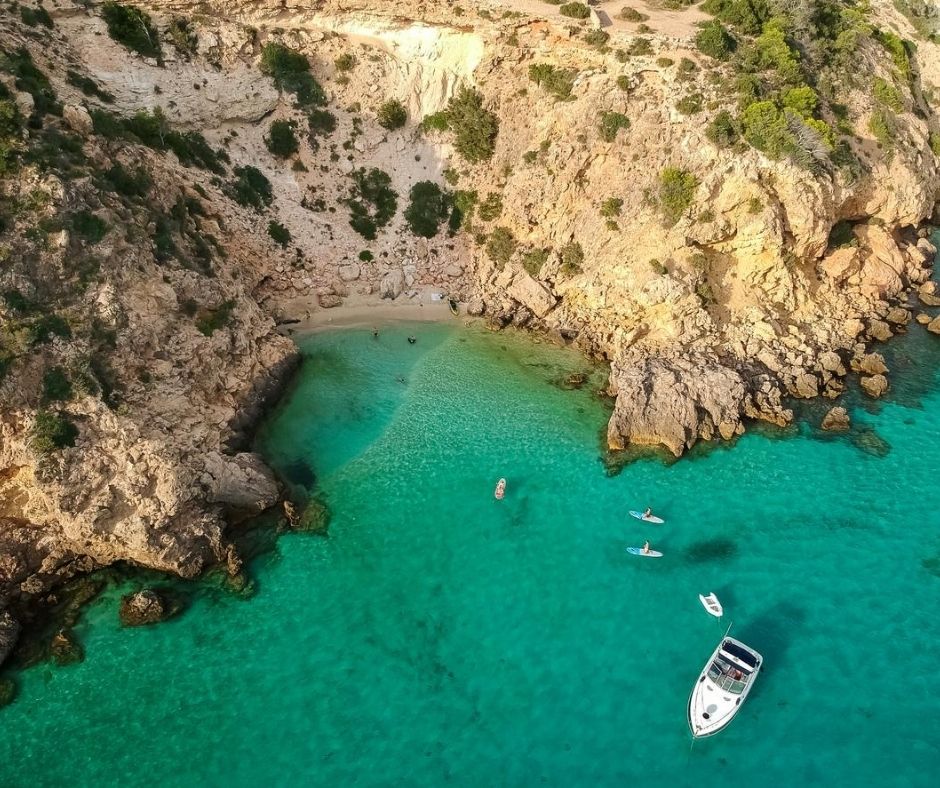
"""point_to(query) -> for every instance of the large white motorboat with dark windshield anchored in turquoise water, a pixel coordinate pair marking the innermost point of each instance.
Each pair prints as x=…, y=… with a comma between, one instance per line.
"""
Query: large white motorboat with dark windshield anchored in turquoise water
x=722, y=688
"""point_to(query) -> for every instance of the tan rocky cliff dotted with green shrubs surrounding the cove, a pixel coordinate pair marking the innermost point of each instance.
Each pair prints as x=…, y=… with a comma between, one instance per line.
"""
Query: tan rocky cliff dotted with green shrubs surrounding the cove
x=730, y=215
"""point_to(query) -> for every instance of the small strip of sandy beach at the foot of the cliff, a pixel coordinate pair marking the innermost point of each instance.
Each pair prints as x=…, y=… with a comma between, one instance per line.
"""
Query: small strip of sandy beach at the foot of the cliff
x=368, y=311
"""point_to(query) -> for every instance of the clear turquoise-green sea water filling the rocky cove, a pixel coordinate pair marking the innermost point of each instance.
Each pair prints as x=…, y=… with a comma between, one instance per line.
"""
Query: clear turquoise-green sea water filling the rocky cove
x=438, y=637
